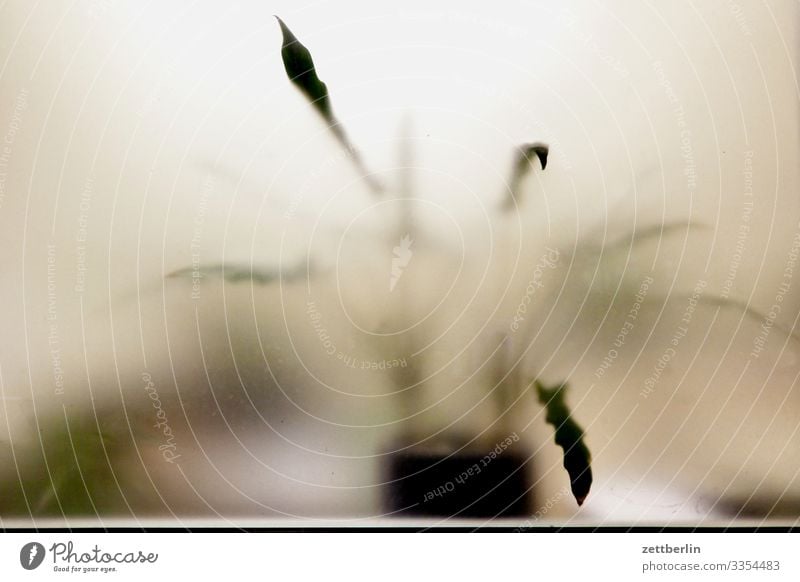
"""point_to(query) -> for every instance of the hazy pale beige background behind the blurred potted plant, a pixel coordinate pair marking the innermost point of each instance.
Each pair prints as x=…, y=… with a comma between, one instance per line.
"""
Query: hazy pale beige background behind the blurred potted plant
x=150, y=126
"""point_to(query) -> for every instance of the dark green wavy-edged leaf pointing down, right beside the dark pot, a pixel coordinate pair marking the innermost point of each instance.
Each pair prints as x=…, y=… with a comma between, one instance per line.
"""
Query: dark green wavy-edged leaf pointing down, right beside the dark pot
x=569, y=436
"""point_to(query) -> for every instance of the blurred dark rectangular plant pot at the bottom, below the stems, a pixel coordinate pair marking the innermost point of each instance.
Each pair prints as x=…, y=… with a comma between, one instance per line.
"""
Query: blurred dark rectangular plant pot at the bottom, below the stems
x=469, y=485
